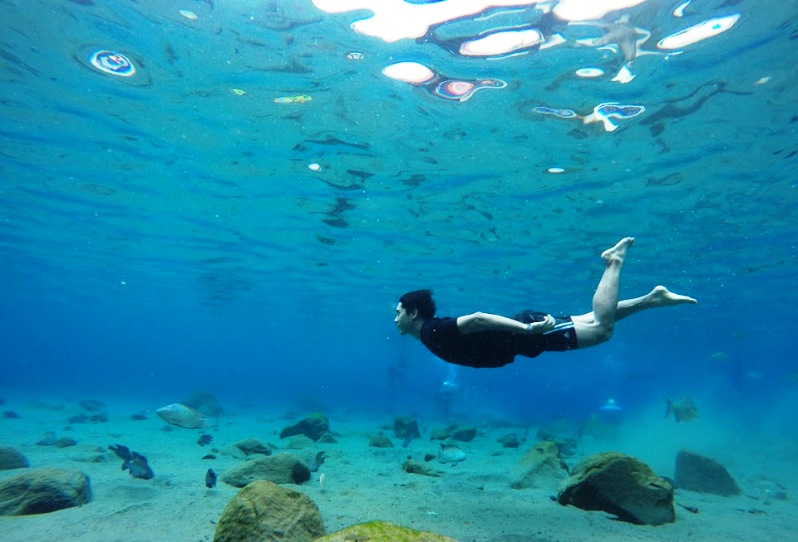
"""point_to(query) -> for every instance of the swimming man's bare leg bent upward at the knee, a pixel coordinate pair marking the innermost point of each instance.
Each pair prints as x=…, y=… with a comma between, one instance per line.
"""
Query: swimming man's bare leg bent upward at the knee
x=605, y=300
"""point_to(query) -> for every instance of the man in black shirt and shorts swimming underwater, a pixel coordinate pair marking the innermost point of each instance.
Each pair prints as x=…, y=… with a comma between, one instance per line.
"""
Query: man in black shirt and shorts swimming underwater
x=489, y=340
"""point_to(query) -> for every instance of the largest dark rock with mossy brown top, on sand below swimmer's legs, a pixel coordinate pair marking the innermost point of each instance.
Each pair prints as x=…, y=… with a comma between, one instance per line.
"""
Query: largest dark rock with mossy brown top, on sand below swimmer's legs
x=620, y=485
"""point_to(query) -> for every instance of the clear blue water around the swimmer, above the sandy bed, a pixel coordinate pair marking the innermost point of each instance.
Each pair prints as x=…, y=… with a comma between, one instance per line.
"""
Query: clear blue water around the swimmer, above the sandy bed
x=162, y=234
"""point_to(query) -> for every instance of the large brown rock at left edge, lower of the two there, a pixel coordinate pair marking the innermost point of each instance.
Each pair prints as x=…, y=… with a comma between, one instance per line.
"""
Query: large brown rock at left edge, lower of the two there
x=39, y=491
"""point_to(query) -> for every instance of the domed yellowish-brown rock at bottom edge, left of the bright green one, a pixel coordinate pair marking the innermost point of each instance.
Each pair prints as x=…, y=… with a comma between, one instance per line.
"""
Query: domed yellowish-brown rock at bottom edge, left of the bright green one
x=264, y=511
